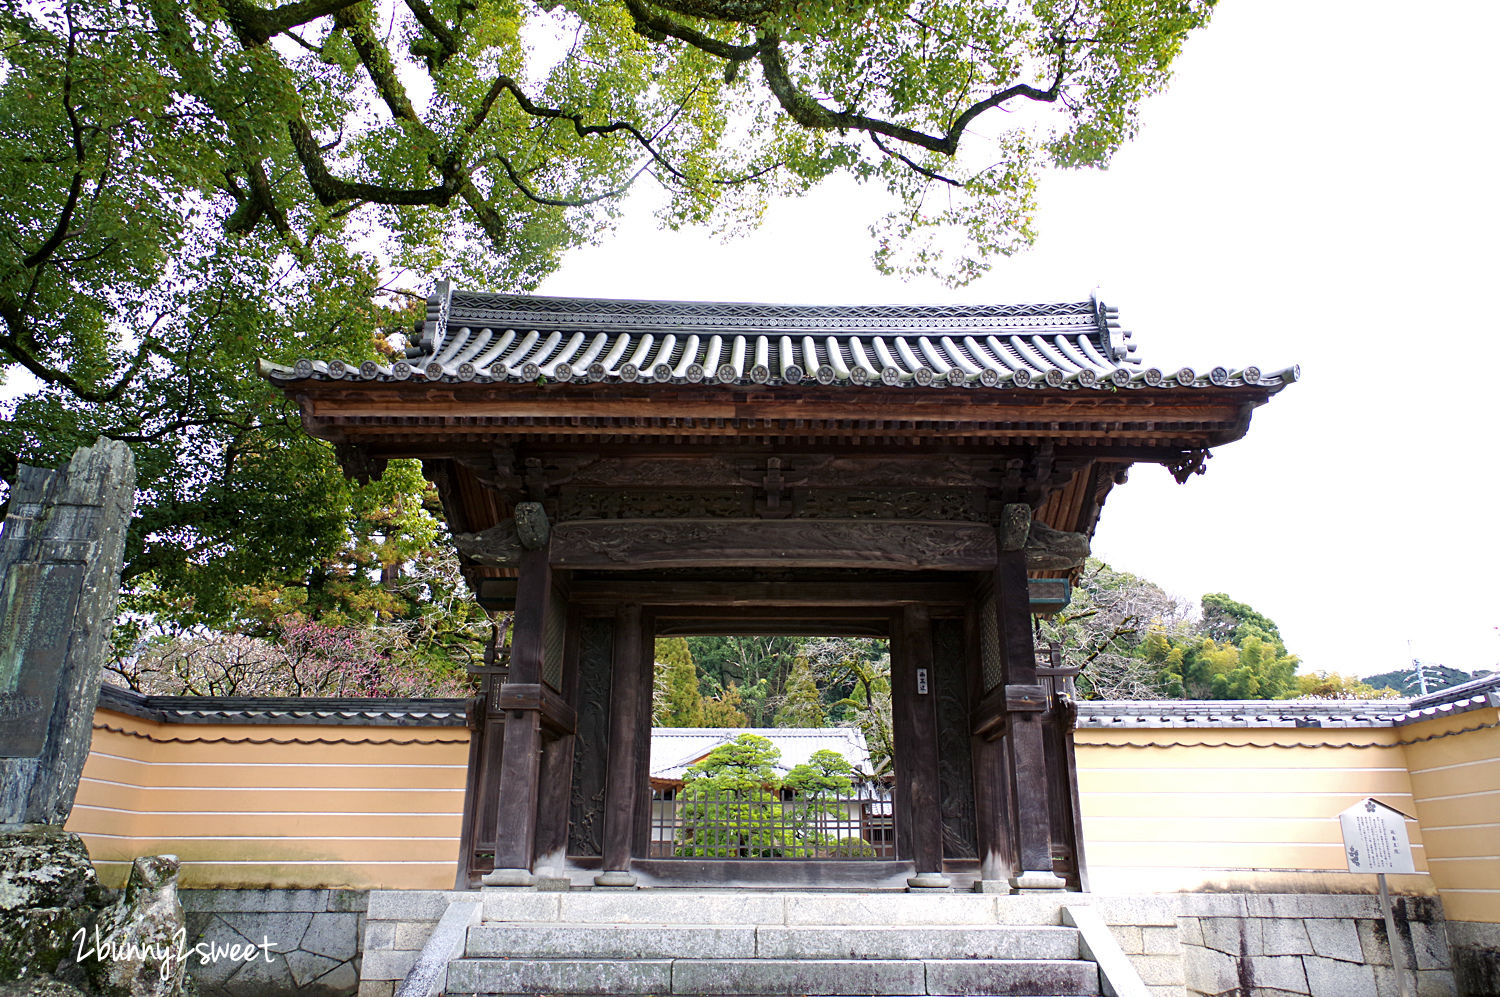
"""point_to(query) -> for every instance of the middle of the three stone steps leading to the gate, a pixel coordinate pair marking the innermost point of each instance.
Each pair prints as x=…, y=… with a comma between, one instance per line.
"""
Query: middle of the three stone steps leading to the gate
x=779, y=942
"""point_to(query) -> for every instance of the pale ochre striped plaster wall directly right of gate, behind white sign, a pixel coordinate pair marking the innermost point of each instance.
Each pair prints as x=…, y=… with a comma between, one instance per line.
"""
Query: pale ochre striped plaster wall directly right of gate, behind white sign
x=1237, y=809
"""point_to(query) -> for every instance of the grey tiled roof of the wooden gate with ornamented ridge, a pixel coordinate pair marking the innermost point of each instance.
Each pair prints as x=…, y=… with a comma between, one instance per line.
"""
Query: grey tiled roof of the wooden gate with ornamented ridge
x=503, y=338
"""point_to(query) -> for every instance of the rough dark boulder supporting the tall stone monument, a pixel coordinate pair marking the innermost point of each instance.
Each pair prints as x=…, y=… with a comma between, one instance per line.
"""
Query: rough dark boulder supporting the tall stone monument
x=49, y=893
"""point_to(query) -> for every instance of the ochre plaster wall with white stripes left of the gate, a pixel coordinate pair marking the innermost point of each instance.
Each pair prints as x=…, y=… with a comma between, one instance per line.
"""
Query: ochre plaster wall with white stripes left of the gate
x=275, y=806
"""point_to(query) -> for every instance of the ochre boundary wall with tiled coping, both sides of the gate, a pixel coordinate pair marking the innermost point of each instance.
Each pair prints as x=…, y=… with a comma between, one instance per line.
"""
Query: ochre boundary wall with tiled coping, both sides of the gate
x=1177, y=795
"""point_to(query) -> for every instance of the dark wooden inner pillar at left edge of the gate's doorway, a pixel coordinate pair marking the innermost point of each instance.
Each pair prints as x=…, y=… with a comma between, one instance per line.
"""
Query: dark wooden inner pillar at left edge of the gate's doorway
x=623, y=789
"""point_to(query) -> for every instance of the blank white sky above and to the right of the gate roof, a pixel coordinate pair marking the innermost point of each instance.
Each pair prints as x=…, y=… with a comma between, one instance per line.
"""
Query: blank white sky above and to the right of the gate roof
x=1318, y=188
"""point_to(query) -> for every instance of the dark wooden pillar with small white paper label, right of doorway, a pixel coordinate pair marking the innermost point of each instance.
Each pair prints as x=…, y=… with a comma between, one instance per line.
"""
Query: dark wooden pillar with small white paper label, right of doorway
x=914, y=695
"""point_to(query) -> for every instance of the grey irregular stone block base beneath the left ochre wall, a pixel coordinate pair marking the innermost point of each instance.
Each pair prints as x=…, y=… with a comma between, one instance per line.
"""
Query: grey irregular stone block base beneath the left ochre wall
x=313, y=935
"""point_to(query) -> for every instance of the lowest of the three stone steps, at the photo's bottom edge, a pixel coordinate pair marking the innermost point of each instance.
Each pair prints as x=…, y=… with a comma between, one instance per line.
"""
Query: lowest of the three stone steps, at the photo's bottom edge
x=772, y=978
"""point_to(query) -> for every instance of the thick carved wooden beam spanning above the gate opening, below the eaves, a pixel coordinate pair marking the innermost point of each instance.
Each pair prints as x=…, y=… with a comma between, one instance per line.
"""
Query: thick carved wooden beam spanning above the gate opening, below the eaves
x=757, y=543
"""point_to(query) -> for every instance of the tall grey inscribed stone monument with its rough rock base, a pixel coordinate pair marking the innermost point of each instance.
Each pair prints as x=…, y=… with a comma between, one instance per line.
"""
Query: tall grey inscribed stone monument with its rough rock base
x=61, y=552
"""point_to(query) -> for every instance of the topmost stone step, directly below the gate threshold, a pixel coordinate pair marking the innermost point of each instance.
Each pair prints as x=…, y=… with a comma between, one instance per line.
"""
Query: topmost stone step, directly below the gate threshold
x=770, y=909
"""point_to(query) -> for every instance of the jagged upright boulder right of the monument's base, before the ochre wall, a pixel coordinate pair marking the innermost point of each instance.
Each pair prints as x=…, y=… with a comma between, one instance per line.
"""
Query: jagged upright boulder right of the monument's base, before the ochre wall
x=139, y=945
